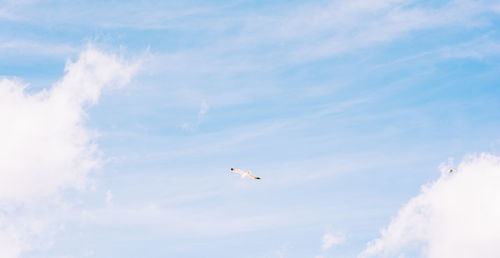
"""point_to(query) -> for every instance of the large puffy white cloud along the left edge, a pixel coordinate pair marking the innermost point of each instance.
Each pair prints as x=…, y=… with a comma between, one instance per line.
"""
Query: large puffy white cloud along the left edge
x=46, y=148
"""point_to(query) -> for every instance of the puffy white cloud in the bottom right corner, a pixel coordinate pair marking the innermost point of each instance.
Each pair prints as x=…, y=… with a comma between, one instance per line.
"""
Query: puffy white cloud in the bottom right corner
x=455, y=216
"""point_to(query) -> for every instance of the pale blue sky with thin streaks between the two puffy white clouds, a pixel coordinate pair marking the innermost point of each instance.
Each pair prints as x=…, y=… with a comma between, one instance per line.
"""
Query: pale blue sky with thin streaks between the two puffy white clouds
x=342, y=137
